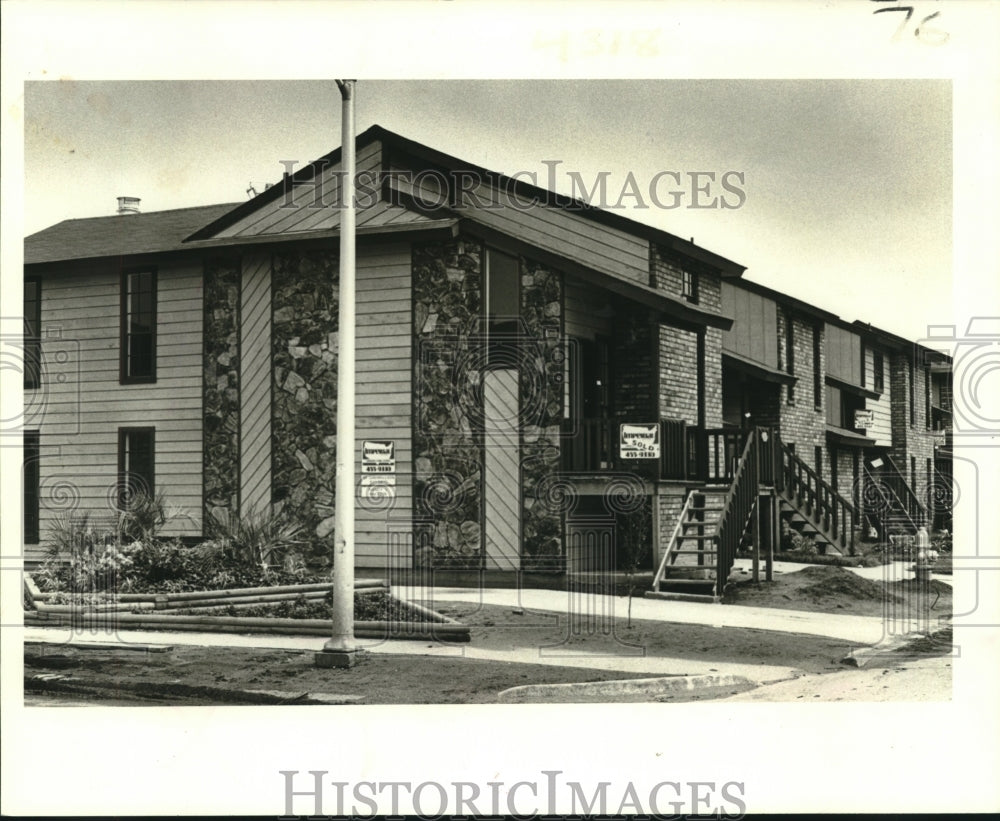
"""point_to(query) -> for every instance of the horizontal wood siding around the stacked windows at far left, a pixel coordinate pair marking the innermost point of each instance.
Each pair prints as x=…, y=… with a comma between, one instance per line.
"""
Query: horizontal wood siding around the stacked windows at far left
x=81, y=404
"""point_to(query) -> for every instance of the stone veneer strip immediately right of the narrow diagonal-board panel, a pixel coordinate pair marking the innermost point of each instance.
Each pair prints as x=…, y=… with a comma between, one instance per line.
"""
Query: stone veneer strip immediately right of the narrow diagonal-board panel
x=542, y=371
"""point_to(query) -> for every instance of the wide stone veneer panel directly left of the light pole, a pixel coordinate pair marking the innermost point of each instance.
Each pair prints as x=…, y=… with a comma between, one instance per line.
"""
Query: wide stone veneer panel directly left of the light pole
x=304, y=349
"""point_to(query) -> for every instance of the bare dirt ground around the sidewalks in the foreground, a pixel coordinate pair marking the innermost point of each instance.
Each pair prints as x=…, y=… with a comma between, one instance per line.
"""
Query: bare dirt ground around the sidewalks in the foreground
x=193, y=675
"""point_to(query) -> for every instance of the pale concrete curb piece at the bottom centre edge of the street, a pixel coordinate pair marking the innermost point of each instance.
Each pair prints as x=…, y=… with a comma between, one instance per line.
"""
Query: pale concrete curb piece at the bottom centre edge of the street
x=619, y=689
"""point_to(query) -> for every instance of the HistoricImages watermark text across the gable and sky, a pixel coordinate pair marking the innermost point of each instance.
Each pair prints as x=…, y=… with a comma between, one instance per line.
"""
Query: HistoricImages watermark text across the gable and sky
x=430, y=188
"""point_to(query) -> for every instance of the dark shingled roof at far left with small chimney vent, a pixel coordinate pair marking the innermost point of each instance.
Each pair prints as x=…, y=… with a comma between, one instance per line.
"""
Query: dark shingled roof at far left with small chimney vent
x=119, y=235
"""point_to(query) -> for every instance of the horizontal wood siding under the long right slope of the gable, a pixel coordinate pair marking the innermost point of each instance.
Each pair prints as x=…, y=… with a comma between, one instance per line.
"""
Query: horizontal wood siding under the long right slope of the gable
x=557, y=230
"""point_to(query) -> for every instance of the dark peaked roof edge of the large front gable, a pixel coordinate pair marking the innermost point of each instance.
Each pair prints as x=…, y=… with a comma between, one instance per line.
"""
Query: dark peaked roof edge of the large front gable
x=399, y=144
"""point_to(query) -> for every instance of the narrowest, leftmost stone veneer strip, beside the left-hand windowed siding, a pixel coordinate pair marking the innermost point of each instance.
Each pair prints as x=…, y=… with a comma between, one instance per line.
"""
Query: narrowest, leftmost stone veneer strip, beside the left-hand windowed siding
x=221, y=390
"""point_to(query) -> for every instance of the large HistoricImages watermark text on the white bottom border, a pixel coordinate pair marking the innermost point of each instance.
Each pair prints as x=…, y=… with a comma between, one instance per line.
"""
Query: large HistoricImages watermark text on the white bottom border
x=315, y=794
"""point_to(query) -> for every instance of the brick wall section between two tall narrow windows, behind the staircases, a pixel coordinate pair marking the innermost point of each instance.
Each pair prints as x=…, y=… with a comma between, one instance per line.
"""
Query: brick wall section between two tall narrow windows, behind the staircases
x=802, y=424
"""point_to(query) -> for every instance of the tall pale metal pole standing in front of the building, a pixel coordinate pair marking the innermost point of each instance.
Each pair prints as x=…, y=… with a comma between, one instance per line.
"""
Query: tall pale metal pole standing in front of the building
x=341, y=649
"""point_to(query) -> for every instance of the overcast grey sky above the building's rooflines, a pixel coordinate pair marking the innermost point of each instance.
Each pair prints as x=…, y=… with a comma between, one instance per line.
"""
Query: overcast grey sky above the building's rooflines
x=848, y=188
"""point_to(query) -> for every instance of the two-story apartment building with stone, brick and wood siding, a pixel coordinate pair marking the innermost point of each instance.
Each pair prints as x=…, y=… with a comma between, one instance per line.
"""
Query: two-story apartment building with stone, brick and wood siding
x=531, y=371
